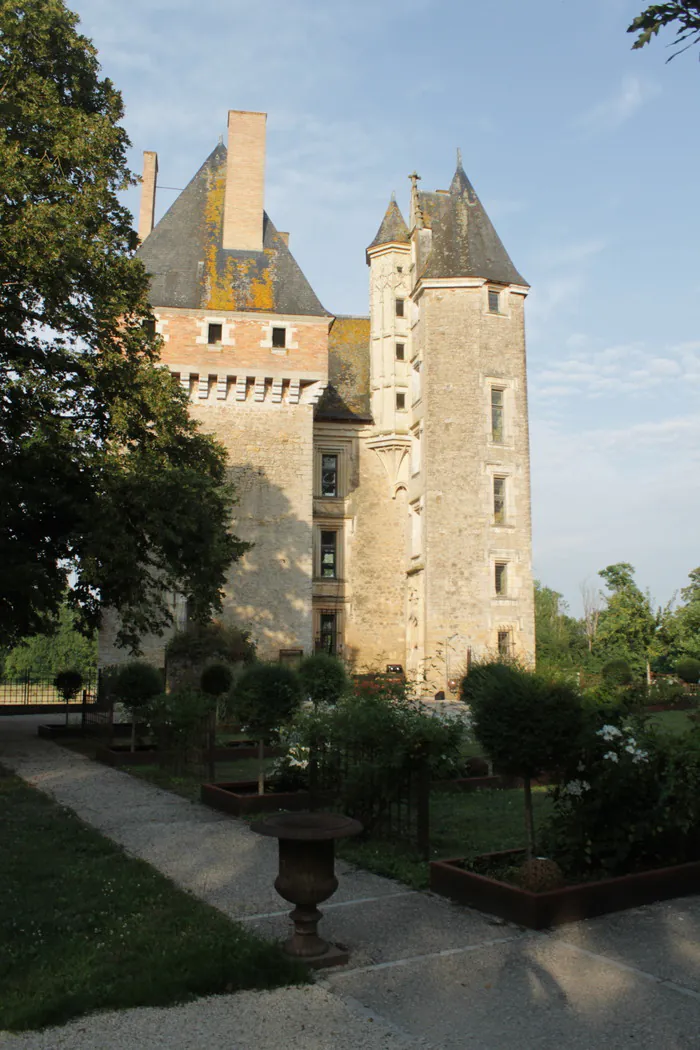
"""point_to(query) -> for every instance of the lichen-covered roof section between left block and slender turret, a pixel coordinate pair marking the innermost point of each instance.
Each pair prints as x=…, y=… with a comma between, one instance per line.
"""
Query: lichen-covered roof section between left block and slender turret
x=347, y=397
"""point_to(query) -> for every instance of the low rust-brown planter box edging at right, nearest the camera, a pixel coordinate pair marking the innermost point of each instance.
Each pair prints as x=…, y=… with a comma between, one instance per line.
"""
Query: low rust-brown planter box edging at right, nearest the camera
x=558, y=907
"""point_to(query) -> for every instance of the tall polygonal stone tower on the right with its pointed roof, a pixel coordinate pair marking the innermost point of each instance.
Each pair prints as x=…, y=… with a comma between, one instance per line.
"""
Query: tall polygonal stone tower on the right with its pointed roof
x=470, y=577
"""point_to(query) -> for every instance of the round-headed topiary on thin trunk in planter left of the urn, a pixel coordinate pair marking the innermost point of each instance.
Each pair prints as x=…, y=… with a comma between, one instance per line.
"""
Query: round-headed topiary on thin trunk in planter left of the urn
x=265, y=699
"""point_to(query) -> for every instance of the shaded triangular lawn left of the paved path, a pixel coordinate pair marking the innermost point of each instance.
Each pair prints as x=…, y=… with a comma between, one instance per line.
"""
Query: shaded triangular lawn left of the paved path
x=84, y=928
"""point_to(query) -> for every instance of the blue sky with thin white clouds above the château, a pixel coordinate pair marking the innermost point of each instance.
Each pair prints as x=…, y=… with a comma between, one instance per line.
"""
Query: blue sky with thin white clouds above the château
x=586, y=156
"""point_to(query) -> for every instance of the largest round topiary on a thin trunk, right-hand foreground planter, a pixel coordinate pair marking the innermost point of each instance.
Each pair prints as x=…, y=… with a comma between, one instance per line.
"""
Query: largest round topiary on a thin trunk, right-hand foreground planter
x=526, y=724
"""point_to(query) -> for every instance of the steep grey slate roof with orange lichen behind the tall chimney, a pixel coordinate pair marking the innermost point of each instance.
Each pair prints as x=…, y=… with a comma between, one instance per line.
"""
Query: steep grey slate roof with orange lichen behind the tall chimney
x=189, y=268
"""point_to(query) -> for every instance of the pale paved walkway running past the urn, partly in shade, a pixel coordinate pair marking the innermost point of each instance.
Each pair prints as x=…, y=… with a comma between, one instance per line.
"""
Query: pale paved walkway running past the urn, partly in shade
x=422, y=974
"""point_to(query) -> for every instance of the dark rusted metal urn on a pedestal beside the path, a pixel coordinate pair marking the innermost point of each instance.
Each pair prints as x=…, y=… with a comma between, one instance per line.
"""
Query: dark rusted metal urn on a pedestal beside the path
x=307, y=876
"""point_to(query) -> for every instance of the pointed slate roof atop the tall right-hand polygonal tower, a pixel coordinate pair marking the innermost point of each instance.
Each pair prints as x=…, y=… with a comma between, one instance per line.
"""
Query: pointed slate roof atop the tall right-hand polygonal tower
x=464, y=242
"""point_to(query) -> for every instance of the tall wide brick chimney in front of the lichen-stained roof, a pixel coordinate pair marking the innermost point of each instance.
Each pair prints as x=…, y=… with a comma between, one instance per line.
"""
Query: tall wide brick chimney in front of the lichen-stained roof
x=245, y=182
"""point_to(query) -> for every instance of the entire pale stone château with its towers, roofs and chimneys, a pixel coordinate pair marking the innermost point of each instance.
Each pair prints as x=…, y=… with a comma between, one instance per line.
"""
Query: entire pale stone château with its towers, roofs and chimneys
x=380, y=464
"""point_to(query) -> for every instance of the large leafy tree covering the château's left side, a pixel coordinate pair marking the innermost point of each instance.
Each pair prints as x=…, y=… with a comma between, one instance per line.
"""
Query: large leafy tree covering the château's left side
x=108, y=490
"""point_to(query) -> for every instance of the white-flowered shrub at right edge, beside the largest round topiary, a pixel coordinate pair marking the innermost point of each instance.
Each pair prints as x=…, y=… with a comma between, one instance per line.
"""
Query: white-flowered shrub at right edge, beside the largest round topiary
x=631, y=801
